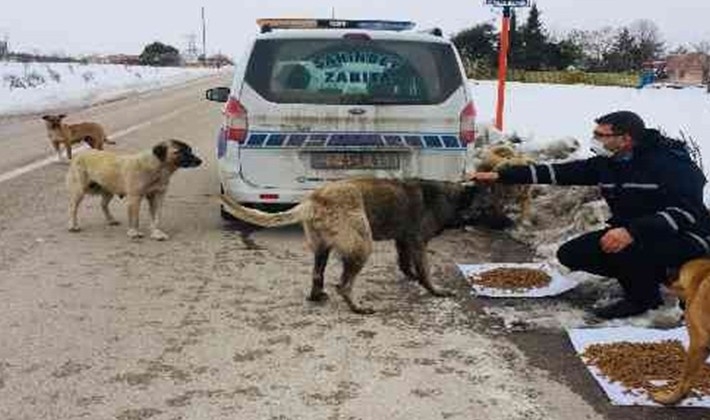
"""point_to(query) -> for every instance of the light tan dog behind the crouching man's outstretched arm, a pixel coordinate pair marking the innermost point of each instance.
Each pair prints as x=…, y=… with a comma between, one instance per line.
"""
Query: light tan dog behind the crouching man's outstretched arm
x=500, y=156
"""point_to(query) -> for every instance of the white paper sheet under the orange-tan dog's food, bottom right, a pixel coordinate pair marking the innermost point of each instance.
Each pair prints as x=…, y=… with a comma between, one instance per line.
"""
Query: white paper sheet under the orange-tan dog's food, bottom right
x=583, y=337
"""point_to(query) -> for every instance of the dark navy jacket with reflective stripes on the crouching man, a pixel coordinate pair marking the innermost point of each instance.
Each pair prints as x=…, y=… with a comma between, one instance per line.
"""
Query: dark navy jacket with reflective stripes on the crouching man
x=658, y=191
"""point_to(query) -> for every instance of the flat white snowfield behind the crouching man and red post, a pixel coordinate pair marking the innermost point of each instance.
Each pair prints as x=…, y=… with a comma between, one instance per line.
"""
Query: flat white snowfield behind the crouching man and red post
x=543, y=112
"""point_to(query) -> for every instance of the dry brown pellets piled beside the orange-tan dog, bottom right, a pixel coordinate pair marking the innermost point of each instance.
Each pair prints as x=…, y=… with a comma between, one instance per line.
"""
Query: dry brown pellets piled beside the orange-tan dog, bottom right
x=637, y=366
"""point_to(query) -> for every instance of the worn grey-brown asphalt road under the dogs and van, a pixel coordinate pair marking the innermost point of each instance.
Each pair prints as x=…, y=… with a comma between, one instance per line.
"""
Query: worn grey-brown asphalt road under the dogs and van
x=213, y=324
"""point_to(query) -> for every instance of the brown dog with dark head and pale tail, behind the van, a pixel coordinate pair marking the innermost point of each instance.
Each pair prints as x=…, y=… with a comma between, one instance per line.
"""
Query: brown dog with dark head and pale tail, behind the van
x=347, y=216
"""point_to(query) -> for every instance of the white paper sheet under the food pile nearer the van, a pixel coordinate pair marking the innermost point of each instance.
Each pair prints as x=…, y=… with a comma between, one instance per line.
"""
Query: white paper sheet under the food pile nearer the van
x=558, y=283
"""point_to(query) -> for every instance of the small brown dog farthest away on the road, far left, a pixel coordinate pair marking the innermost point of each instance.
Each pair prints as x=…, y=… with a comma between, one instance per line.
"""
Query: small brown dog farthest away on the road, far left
x=60, y=133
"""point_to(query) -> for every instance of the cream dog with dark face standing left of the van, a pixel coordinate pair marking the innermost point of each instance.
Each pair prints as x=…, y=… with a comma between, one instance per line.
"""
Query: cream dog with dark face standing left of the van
x=145, y=174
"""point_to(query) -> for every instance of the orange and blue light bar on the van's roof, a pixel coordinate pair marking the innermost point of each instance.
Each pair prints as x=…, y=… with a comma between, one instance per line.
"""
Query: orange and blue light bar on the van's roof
x=376, y=25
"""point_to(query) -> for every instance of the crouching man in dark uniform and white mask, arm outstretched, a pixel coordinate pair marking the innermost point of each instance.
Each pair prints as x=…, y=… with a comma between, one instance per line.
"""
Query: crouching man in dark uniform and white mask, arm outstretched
x=655, y=194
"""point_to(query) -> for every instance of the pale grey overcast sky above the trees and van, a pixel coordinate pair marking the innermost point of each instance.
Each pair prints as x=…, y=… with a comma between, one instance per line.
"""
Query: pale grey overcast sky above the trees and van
x=91, y=26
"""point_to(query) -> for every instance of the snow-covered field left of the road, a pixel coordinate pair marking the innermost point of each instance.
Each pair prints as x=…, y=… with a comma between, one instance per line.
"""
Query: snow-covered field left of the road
x=37, y=87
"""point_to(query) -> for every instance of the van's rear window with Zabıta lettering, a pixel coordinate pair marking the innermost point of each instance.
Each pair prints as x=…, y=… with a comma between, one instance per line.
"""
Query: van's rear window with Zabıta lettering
x=353, y=71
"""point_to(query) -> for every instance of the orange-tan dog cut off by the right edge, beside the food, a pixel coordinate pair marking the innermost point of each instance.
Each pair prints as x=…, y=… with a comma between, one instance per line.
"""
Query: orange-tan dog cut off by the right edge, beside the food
x=692, y=286
